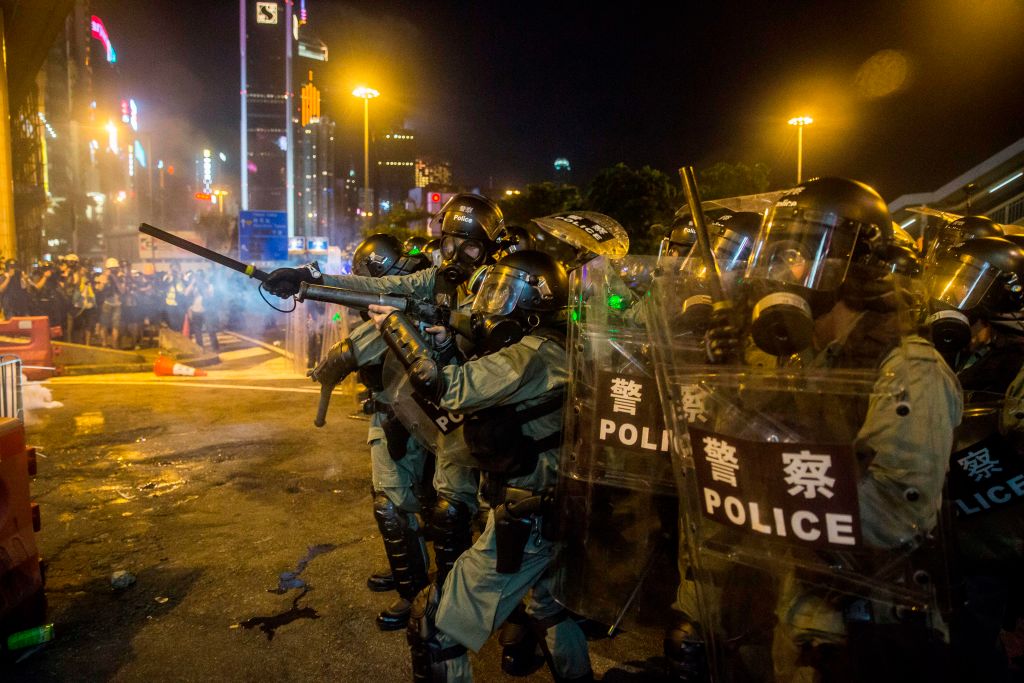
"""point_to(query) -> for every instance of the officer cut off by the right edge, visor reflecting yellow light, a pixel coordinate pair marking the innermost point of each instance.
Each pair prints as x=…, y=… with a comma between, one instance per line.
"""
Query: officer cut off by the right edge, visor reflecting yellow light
x=977, y=285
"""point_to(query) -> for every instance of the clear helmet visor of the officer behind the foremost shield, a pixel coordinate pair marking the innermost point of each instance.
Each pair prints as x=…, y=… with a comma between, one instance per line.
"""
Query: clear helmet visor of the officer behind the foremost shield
x=810, y=250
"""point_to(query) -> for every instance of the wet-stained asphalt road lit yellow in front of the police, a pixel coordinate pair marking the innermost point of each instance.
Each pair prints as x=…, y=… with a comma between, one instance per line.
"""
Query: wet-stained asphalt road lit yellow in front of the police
x=206, y=491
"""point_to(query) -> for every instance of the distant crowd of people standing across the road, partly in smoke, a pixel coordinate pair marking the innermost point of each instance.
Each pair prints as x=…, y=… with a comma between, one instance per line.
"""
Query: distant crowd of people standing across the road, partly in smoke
x=114, y=305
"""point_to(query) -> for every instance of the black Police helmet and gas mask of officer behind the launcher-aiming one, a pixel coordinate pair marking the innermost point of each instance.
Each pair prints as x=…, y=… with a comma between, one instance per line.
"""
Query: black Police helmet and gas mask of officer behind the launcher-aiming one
x=471, y=227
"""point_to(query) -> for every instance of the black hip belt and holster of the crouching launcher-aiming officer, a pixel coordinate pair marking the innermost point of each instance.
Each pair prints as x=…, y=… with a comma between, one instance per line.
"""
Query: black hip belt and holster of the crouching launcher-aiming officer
x=517, y=514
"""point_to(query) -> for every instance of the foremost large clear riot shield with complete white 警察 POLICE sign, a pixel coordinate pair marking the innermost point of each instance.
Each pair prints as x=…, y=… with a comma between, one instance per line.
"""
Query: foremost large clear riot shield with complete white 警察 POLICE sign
x=812, y=477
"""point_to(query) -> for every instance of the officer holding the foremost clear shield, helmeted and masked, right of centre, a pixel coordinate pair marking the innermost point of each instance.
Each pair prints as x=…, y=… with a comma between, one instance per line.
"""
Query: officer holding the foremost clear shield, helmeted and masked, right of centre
x=823, y=305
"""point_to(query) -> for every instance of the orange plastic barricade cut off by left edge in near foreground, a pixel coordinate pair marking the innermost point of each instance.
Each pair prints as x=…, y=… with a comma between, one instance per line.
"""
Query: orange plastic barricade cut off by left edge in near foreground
x=22, y=599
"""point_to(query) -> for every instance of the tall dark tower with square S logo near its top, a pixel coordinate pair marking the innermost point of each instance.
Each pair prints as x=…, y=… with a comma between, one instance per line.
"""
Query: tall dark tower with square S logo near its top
x=268, y=134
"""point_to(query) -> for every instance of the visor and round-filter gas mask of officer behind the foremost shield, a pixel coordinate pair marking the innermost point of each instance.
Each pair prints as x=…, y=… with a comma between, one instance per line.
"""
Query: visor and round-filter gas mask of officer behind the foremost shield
x=795, y=275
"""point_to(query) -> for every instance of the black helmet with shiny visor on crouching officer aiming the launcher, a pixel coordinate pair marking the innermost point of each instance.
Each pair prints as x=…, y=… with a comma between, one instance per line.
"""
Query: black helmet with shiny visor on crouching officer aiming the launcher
x=523, y=291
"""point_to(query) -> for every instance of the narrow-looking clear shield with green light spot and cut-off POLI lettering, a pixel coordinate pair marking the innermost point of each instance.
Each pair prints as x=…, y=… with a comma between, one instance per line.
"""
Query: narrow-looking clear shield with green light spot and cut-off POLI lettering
x=618, y=490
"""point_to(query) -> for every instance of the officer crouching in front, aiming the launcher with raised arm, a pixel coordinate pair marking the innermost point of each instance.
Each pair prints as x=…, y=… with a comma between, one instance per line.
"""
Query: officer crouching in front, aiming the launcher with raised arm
x=514, y=402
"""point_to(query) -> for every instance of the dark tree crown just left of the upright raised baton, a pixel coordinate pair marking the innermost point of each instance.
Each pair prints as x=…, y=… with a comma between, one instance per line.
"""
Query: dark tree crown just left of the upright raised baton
x=637, y=199
